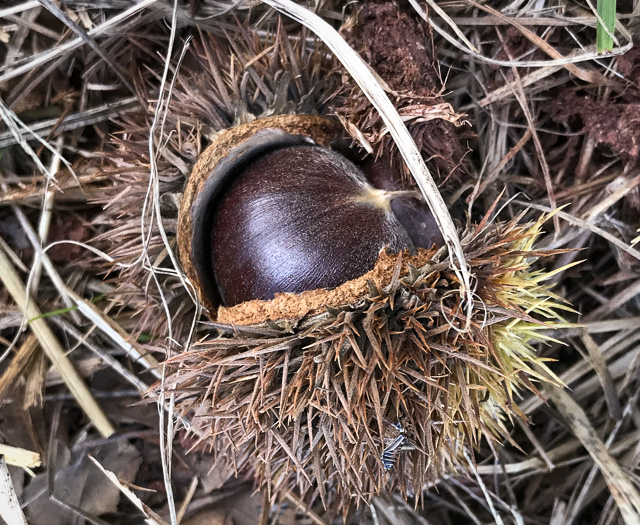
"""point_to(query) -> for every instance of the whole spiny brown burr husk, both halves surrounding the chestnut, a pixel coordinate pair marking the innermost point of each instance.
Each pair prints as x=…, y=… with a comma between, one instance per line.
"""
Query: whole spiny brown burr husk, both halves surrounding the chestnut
x=308, y=400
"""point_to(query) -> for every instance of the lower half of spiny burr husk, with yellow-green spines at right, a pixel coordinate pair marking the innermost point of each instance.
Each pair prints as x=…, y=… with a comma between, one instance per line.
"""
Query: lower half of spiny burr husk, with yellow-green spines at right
x=308, y=404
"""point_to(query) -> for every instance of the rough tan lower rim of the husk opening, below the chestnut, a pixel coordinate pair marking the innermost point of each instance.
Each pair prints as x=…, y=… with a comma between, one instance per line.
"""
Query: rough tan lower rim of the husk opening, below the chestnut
x=296, y=306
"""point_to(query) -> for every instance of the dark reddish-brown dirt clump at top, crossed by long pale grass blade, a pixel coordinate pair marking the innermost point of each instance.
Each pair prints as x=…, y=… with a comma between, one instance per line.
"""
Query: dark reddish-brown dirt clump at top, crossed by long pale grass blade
x=398, y=47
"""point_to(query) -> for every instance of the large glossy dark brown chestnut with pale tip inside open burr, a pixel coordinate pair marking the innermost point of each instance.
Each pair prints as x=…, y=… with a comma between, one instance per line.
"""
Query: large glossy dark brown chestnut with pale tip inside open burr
x=296, y=219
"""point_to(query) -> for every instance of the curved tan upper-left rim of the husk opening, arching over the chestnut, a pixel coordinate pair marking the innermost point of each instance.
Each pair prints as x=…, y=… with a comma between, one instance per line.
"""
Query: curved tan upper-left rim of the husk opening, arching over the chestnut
x=321, y=129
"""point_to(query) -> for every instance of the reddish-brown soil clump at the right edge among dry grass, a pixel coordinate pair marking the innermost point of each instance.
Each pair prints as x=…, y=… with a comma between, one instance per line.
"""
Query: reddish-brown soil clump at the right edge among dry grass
x=612, y=124
